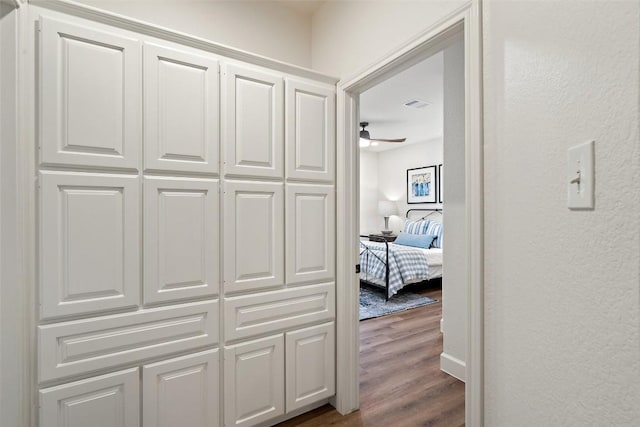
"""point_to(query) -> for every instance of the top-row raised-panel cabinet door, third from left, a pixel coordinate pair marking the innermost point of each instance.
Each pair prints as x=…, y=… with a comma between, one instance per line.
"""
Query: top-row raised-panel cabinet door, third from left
x=253, y=124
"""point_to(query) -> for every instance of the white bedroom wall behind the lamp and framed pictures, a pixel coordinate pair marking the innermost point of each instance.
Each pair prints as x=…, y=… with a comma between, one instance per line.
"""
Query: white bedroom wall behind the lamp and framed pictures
x=392, y=176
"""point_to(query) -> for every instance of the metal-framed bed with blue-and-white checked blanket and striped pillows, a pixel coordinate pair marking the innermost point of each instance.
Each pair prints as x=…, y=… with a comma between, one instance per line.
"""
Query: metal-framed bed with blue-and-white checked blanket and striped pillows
x=393, y=266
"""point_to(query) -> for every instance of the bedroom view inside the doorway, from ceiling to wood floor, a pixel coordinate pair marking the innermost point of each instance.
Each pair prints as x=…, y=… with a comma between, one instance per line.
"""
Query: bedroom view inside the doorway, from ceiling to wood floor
x=411, y=200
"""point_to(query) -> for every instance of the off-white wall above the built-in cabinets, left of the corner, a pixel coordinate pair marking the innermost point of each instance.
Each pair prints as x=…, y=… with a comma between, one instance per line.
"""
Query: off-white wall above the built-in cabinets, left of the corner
x=264, y=27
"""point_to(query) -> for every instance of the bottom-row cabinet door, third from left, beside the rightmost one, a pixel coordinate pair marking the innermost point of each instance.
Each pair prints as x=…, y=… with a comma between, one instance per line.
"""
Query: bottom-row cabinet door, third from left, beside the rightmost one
x=254, y=381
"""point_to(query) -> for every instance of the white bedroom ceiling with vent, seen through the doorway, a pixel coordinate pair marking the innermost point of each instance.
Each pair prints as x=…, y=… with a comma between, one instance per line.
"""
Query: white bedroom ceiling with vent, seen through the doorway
x=383, y=105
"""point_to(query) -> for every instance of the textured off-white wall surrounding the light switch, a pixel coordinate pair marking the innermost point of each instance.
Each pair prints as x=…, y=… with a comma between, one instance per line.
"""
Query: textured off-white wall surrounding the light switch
x=562, y=287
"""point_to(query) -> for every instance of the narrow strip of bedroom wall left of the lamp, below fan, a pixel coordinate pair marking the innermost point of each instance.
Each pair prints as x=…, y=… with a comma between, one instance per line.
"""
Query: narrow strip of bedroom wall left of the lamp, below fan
x=369, y=222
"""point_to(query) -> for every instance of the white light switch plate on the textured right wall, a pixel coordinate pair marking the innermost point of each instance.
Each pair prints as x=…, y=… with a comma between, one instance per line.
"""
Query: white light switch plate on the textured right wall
x=581, y=176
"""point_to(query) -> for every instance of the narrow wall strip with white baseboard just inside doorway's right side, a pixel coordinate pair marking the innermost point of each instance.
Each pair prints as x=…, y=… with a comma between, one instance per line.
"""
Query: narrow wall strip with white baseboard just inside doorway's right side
x=455, y=262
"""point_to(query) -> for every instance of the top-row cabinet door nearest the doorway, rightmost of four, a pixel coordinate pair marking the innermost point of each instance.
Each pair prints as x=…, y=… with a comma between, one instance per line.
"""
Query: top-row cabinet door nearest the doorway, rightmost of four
x=310, y=137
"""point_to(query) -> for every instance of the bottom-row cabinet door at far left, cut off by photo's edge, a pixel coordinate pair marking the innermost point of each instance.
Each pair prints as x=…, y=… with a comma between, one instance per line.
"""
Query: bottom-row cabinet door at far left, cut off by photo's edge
x=105, y=401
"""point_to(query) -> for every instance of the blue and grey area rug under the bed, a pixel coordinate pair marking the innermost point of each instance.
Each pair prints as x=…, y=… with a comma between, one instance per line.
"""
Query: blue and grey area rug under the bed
x=373, y=304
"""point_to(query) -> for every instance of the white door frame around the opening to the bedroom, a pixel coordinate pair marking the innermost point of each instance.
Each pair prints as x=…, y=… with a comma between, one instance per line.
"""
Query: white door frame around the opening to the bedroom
x=466, y=19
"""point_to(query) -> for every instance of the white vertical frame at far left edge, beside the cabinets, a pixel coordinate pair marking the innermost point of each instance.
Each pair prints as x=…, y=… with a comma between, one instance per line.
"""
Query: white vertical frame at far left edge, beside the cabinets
x=15, y=343
